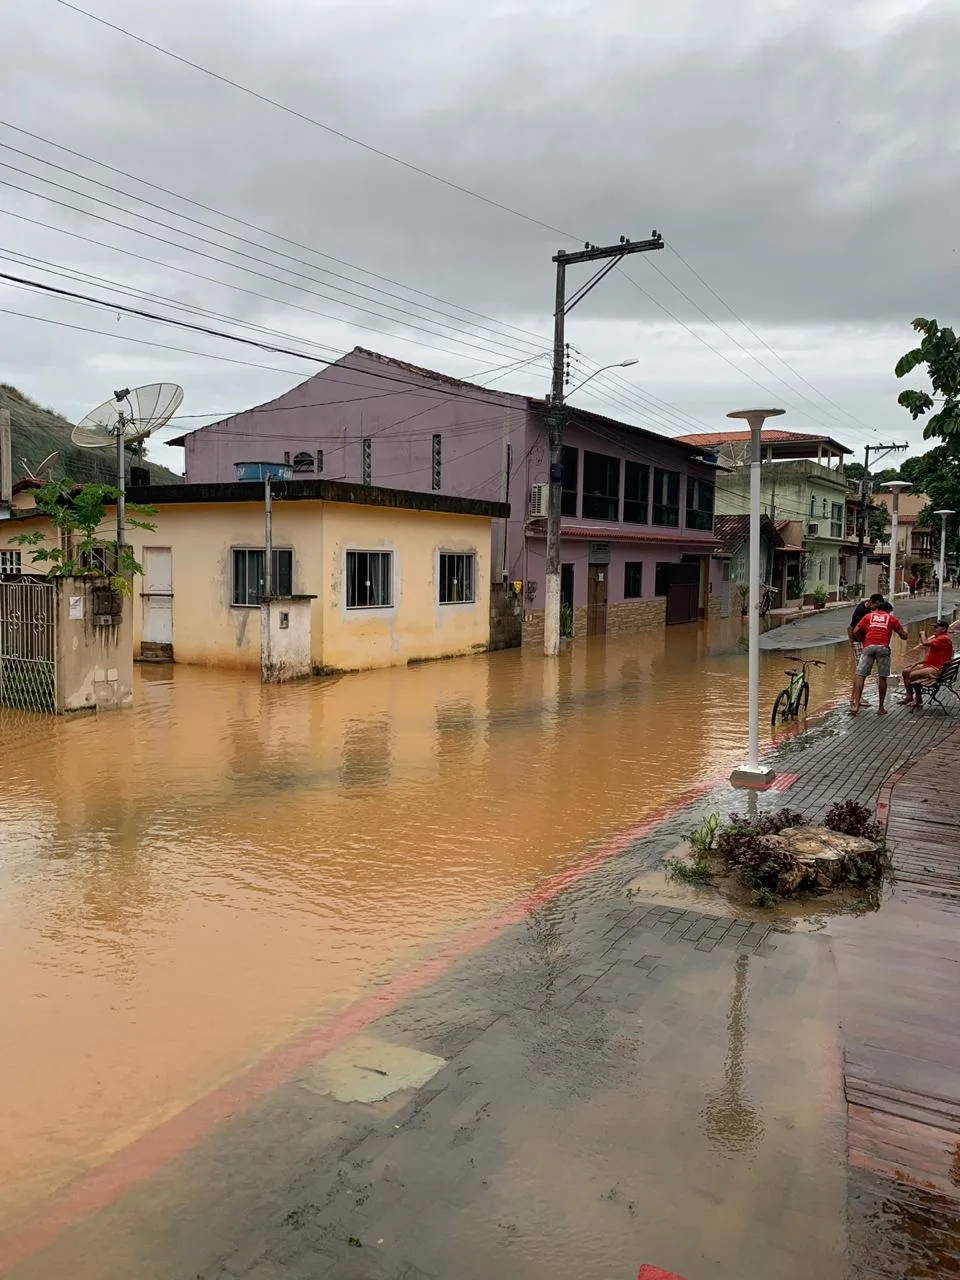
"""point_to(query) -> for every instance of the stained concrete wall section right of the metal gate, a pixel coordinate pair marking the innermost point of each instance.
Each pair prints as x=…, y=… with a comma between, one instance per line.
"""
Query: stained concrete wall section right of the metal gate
x=95, y=661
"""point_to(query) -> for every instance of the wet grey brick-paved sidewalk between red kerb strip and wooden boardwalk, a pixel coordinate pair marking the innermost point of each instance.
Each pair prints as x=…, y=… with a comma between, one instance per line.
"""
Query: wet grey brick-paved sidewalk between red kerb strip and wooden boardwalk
x=611, y=1082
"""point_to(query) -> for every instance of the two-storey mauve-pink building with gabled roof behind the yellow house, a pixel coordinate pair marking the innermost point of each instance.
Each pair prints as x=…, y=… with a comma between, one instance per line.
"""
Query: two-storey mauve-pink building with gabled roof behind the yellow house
x=638, y=508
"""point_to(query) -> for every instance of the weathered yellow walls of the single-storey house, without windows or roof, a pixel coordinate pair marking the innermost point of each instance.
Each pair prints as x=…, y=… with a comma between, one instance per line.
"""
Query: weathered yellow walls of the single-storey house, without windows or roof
x=208, y=629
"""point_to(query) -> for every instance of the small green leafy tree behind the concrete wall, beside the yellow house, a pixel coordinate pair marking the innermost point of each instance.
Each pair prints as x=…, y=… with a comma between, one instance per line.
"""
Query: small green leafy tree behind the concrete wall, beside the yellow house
x=77, y=513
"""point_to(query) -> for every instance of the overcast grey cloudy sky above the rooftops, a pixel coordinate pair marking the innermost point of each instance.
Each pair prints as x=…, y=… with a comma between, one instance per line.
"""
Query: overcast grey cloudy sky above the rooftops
x=801, y=162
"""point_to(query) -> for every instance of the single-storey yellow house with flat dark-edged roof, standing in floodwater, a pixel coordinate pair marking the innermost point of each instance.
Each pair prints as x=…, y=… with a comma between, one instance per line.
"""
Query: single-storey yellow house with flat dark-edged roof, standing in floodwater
x=395, y=577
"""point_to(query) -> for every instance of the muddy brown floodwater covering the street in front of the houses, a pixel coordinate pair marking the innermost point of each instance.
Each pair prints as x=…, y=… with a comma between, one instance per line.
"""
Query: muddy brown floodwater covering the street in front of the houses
x=188, y=884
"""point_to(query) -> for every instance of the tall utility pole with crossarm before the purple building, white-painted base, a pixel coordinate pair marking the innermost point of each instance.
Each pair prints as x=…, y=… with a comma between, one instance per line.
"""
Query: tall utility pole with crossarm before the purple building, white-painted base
x=611, y=255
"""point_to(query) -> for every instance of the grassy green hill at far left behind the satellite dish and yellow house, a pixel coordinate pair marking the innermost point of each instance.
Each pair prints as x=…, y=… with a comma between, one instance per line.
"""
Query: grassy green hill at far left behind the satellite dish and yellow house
x=40, y=432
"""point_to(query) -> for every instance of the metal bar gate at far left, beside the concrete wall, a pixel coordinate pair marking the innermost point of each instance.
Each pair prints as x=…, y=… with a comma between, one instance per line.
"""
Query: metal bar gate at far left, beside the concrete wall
x=29, y=644
